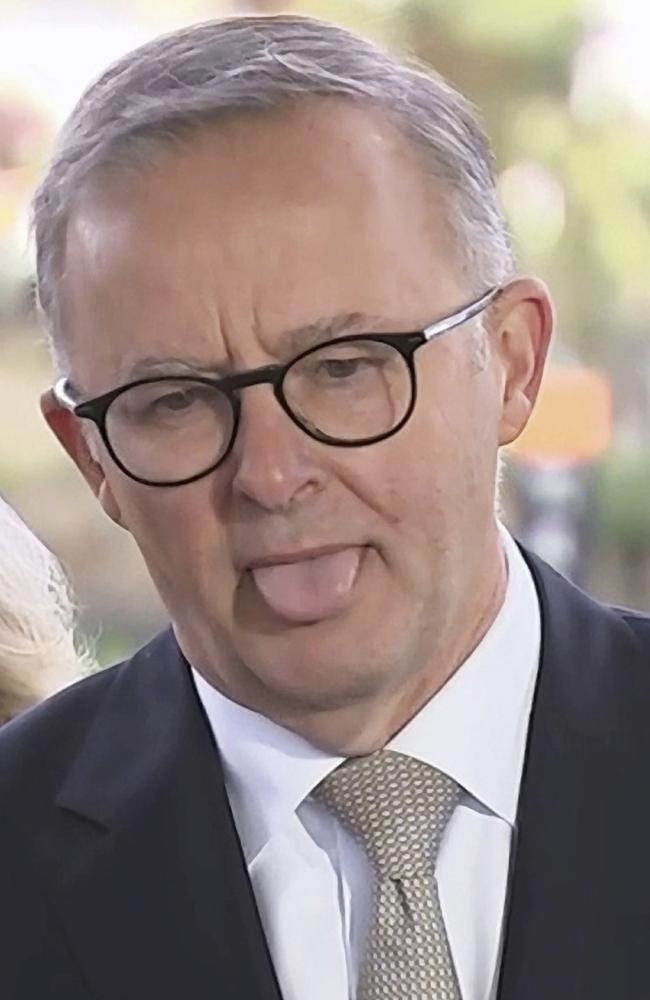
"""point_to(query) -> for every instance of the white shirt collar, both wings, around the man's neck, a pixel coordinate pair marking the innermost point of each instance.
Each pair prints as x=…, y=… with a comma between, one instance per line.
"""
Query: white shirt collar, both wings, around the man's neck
x=474, y=729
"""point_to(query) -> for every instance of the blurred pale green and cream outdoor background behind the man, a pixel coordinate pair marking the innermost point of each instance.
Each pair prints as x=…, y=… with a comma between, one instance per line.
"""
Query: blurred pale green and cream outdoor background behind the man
x=563, y=87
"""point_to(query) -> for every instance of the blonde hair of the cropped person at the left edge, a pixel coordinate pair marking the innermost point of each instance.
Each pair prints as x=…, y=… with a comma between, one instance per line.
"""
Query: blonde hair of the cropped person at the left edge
x=38, y=654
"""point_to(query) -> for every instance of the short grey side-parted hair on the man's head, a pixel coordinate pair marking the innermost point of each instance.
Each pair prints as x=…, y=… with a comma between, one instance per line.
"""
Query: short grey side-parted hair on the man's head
x=170, y=87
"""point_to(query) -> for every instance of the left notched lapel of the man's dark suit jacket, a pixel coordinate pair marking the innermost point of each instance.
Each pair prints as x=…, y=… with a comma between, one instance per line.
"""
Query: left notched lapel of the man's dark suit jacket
x=147, y=863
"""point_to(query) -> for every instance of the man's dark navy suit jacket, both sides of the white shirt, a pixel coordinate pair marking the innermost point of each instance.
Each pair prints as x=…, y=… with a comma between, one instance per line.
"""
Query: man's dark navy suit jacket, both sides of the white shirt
x=122, y=876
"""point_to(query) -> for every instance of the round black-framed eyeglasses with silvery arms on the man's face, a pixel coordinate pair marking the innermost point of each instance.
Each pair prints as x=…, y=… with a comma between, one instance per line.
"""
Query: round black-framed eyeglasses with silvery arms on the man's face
x=349, y=392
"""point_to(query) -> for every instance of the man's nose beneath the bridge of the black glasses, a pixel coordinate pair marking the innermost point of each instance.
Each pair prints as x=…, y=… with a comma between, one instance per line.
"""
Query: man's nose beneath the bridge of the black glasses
x=274, y=462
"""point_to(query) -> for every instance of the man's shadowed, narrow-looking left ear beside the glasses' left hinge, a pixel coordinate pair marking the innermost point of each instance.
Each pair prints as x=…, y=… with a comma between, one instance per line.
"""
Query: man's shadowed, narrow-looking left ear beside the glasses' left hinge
x=90, y=460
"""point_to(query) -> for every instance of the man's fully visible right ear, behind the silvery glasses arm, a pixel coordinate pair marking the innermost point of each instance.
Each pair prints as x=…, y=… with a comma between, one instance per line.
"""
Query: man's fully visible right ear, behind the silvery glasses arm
x=521, y=335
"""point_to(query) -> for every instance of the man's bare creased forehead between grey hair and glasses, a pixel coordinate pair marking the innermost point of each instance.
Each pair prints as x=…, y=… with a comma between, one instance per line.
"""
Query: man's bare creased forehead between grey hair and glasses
x=259, y=225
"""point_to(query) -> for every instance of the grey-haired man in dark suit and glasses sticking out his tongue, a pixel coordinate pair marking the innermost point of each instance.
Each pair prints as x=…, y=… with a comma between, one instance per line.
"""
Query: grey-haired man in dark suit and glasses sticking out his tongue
x=381, y=751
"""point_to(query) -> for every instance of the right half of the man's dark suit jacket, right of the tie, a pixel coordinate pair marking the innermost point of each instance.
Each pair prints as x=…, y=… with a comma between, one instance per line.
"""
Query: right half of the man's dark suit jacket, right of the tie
x=573, y=893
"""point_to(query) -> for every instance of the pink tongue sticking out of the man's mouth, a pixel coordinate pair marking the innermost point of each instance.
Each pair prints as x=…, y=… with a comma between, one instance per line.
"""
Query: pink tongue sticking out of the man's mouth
x=309, y=589
